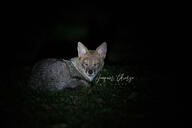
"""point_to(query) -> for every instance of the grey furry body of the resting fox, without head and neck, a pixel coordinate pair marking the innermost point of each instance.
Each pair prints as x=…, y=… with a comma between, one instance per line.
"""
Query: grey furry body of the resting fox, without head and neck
x=54, y=74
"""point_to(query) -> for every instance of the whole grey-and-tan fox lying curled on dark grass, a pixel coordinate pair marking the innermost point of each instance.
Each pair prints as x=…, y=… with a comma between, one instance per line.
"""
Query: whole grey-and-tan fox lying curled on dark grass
x=58, y=74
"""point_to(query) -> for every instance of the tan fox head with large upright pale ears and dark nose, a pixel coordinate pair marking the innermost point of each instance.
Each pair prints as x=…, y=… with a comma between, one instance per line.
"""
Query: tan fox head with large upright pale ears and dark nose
x=91, y=61
